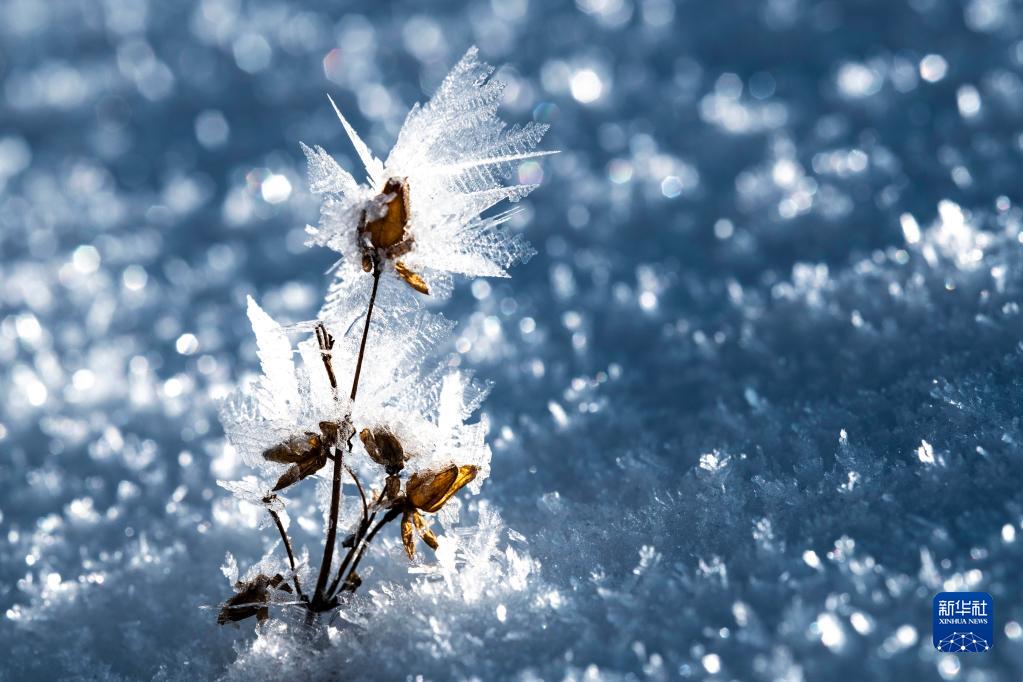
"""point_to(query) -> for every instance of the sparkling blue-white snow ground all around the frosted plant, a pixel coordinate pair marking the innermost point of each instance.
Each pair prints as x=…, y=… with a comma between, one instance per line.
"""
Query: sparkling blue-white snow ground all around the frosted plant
x=758, y=399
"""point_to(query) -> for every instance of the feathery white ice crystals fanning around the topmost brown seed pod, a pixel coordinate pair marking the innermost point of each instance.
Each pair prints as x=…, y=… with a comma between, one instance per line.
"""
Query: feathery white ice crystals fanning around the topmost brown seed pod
x=456, y=156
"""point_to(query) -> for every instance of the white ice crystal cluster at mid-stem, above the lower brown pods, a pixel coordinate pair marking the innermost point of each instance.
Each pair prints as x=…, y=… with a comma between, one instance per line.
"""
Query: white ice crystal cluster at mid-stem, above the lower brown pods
x=427, y=411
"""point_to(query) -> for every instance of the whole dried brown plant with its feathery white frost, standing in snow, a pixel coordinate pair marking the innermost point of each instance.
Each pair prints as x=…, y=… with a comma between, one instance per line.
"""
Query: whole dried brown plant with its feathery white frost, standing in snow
x=419, y=216
